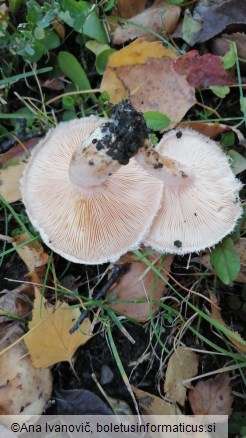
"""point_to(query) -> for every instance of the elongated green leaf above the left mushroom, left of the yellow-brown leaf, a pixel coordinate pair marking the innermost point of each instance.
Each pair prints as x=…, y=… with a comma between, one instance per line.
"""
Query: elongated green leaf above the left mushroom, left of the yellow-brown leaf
x=73, y=70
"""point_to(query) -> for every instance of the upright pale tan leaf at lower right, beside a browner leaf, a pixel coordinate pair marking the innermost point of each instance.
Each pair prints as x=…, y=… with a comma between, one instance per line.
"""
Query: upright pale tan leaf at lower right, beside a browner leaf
x=182, y=365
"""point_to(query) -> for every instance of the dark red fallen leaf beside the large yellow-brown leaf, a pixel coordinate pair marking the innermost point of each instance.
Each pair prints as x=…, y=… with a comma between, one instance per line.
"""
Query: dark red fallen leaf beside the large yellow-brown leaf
x=202, y=71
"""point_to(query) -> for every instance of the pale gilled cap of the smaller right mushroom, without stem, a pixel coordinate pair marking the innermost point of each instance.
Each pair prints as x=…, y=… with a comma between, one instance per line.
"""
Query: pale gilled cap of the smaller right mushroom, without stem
x=201, y=213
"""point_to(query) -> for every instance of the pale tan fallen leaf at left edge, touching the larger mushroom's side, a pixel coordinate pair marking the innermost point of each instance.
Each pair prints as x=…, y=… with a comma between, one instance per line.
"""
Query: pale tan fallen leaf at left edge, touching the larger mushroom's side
x=10, y=182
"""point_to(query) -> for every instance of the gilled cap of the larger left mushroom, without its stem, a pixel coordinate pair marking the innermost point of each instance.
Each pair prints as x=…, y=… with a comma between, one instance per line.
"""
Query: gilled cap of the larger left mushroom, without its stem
x=86, y=225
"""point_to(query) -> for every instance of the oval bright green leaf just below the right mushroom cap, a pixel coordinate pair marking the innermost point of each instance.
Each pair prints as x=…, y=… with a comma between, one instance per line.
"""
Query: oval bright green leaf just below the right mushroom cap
x=225, y=261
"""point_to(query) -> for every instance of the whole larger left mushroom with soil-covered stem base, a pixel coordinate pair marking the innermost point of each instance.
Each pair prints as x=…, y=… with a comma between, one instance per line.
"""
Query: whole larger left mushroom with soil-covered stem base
x=85, y=203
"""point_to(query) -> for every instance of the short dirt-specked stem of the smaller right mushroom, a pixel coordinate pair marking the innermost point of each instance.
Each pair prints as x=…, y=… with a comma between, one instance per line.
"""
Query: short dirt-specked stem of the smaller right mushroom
x=169, y=171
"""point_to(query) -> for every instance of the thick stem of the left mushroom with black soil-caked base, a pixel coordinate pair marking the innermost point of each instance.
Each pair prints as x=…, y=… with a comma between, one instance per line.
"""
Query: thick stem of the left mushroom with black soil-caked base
x=109, y=147
